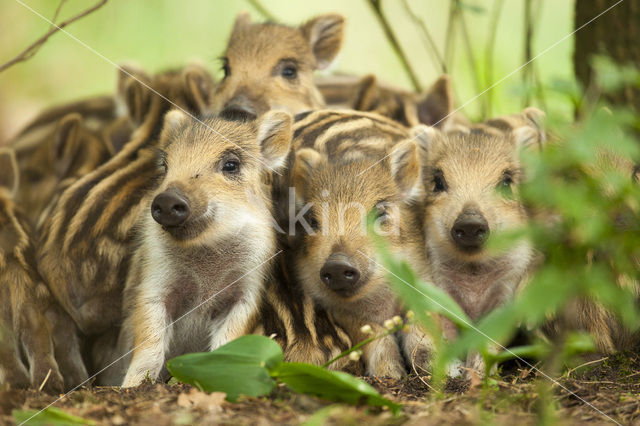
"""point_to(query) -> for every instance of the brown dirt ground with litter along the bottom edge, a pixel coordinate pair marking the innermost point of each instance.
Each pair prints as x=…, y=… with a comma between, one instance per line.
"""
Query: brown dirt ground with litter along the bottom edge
x=610, y=385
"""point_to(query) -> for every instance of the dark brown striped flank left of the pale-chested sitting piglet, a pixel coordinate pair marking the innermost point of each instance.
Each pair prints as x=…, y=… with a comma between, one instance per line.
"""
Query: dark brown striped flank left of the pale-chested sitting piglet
x=86, y=235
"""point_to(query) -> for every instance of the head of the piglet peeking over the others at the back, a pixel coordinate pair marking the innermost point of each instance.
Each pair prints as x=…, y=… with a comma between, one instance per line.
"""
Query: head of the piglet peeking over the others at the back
x=270, y=66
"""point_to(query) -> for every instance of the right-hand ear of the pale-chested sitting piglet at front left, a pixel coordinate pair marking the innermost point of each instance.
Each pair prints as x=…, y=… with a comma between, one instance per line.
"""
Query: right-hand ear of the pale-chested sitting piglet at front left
x=274, y=136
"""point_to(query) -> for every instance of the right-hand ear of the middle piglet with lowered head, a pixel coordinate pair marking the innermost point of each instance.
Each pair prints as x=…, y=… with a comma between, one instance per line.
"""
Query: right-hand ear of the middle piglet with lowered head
x=405, y=163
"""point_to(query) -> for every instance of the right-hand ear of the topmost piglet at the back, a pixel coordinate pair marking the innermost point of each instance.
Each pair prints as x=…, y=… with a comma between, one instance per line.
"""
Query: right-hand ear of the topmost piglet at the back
x=325, y=34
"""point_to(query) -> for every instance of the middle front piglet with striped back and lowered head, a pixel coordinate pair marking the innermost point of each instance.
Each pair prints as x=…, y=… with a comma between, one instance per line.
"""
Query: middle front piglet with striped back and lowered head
x=349, y=166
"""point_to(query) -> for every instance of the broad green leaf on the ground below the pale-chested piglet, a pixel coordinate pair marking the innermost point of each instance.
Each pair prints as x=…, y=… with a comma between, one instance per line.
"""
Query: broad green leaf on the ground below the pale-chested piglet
x=239, y=367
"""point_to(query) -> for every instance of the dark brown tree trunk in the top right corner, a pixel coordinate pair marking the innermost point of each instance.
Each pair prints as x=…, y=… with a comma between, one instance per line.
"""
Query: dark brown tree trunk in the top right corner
x=615, y=34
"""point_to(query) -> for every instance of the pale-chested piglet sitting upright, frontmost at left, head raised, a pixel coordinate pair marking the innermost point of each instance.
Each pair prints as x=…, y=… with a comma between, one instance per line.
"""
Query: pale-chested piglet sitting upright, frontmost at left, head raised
x=206, y=239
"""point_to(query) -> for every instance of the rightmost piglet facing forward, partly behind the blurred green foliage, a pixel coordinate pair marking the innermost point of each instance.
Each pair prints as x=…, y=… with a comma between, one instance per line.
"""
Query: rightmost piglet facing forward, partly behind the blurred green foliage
x=471, y=183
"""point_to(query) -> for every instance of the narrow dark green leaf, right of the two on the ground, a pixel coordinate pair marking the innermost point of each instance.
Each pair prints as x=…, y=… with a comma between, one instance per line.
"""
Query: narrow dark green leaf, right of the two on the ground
x=331, y=385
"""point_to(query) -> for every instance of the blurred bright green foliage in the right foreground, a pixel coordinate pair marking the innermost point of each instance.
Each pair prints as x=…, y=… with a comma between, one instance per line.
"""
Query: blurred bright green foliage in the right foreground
x=586, y=226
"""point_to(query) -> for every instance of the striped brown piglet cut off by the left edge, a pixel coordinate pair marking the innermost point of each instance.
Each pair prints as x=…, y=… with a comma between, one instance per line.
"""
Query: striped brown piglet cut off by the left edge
x=33, y=328
